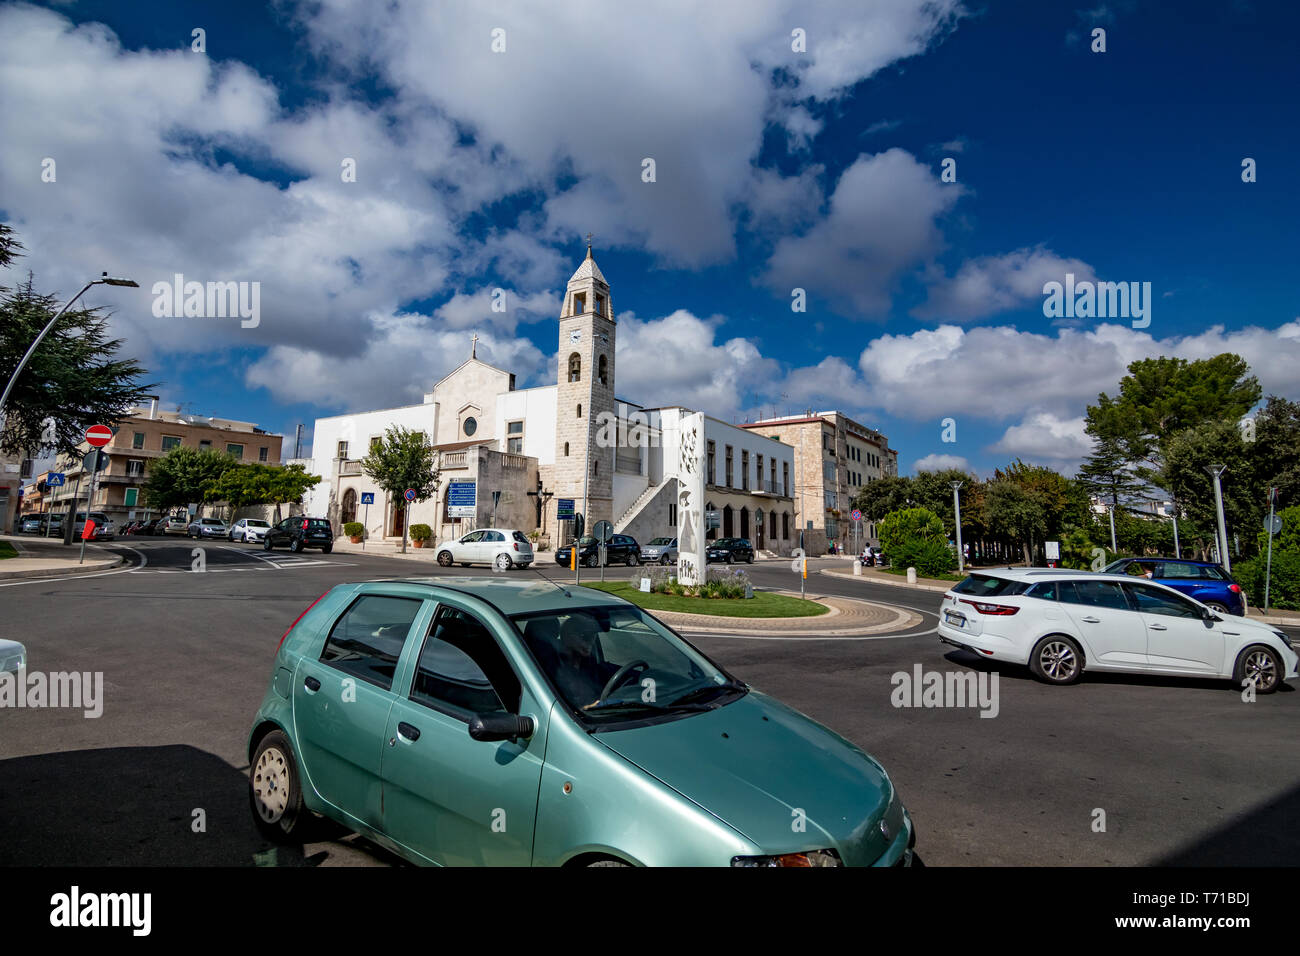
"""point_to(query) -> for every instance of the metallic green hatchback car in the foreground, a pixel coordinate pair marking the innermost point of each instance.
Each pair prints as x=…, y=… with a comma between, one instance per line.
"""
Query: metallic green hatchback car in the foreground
x=504, y=723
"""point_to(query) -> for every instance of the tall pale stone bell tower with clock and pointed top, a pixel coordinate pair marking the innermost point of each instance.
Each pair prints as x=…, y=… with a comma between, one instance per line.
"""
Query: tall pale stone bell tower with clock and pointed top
x=586, y=434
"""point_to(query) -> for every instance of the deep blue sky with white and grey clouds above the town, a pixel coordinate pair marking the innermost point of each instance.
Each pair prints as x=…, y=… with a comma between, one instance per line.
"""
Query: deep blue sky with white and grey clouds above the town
x=775, y=170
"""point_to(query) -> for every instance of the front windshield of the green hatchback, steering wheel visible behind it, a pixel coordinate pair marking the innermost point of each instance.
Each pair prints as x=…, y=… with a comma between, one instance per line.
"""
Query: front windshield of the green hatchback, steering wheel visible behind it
x=583, y=651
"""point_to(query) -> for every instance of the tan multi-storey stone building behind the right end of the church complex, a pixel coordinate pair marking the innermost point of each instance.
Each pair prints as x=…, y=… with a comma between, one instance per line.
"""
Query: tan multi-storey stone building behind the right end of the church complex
x=835, y=457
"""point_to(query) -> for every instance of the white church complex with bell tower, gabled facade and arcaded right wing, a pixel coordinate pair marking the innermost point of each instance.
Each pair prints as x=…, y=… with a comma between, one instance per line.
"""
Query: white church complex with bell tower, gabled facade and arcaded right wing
x=528, y=458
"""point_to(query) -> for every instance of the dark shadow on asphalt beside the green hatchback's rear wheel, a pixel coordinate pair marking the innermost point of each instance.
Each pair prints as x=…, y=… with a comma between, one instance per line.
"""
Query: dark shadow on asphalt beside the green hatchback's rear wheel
x=136, y=807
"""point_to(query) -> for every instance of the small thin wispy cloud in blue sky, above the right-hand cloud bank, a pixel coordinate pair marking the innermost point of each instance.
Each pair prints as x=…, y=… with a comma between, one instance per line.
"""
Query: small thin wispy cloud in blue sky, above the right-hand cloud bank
x=996, y=284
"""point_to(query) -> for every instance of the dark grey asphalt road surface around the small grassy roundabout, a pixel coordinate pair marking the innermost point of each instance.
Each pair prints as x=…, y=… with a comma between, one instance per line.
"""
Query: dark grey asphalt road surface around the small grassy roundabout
x=1185, y=772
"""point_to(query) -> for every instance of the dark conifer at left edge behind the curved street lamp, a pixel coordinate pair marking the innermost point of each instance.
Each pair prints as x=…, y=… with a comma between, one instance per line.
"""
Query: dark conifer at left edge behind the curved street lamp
x=76, y=379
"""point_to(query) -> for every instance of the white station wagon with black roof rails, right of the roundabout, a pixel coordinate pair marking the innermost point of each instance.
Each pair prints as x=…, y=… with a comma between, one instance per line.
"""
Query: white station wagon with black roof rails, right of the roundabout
x=1061, y=624
